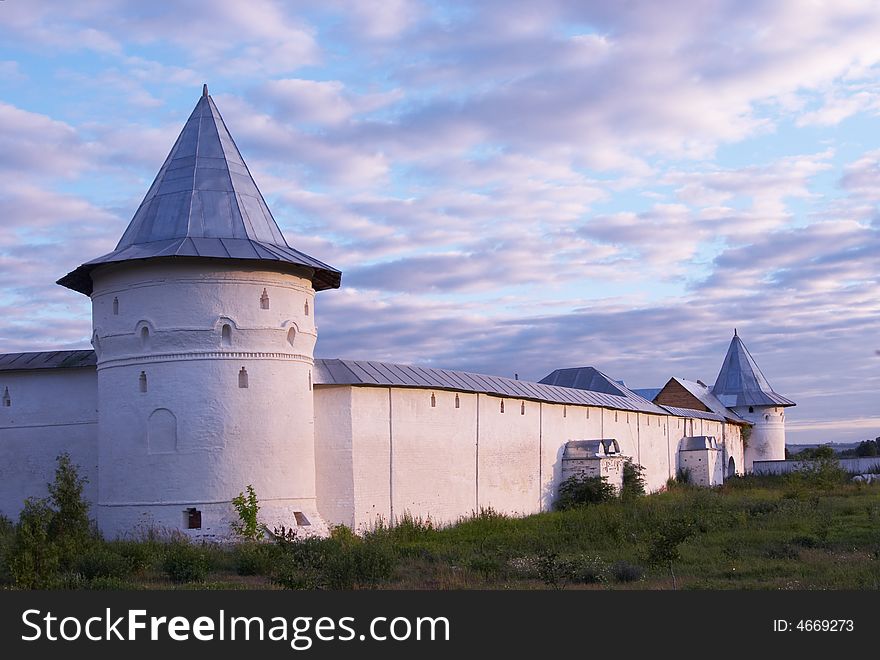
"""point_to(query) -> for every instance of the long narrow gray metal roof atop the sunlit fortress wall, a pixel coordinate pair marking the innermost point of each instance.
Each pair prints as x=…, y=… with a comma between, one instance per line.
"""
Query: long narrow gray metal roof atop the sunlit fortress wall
x=383, y=374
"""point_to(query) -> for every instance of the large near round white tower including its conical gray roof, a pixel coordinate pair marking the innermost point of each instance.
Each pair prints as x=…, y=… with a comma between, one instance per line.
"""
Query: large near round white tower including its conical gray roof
x=204, y=331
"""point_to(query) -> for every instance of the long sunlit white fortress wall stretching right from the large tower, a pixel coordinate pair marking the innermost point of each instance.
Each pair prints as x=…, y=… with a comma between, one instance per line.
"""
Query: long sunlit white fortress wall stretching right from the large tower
x=443, y=462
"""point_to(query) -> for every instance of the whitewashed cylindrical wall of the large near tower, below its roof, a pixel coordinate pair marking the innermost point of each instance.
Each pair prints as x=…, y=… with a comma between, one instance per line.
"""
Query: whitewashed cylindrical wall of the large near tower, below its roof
x=196, y=438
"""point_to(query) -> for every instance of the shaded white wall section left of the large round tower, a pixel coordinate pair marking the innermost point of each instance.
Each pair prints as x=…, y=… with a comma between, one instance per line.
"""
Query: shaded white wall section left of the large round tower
x=50, y=411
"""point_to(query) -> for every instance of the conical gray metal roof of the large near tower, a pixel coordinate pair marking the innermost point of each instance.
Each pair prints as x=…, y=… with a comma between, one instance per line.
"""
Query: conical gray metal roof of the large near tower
x=204, y=203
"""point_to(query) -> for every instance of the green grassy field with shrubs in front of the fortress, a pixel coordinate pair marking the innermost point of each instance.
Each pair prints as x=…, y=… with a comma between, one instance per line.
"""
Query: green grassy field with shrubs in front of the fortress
x=784, y=532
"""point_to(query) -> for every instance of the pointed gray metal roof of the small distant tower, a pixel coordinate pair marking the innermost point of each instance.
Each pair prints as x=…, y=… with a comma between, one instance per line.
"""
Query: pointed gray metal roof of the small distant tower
x=741, y=383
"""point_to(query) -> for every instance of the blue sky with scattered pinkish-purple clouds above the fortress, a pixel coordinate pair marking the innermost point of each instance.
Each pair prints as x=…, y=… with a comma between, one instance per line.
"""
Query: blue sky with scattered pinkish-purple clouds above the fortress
x=508, y=187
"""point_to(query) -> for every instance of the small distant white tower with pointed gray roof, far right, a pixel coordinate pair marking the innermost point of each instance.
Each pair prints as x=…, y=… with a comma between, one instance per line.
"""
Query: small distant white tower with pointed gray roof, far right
x=743, y=388
